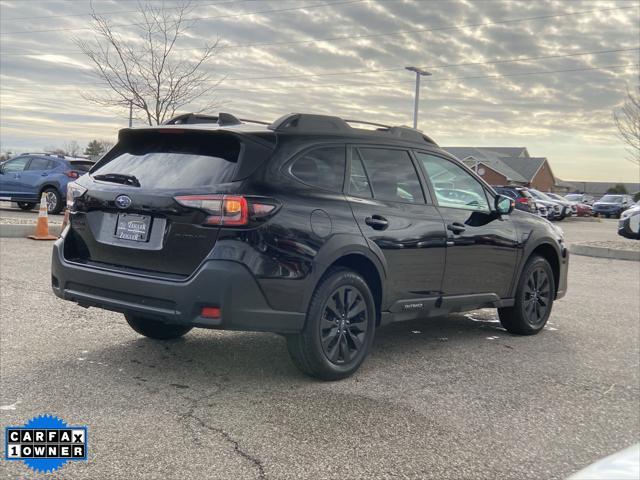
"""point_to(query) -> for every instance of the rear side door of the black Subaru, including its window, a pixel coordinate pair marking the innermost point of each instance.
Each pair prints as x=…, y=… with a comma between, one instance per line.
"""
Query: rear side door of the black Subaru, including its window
x=389, y=204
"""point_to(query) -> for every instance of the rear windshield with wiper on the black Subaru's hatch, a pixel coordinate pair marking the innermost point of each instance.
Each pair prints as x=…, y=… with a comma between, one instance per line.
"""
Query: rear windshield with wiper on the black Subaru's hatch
x=174, y=160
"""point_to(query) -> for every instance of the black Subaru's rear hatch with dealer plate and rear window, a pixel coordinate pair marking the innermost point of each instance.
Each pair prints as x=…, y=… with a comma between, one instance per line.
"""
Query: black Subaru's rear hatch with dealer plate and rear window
x=128, y=217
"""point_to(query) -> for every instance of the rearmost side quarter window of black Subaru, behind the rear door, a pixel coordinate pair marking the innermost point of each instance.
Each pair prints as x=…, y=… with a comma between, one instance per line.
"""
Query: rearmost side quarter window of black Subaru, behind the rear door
x=321, y=167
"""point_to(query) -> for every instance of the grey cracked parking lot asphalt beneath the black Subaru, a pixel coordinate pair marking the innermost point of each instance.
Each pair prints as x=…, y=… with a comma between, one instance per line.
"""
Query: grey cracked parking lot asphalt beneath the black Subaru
x=449, y=398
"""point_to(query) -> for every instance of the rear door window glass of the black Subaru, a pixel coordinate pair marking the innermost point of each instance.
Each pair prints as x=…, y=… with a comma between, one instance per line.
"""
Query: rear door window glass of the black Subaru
x=392, y=175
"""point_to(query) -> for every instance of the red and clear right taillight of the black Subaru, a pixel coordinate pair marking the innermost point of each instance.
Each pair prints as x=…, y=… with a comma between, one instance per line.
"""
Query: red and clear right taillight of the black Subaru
x=228, y=210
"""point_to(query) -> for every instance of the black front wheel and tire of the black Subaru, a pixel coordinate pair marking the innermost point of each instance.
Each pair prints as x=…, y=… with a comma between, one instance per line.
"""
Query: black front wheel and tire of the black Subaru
x=533, y=301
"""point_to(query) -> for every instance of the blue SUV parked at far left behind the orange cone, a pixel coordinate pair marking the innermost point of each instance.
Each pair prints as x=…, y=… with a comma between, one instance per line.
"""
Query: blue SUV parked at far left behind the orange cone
x=25, y=178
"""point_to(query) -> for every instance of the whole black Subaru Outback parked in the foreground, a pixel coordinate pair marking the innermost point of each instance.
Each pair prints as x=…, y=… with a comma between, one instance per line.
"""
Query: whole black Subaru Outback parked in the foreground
x=308, y=227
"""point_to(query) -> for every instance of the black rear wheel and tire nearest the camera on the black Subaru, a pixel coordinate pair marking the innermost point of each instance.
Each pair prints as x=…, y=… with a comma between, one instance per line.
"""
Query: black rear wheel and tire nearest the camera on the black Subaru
x=335, y=342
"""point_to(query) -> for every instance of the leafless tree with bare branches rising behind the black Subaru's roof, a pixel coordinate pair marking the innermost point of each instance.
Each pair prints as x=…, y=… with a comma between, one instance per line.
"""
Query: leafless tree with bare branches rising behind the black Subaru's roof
x=146, y=70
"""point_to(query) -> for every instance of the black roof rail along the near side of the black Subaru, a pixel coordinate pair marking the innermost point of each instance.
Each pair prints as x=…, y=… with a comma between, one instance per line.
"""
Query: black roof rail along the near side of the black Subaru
x=309, y=123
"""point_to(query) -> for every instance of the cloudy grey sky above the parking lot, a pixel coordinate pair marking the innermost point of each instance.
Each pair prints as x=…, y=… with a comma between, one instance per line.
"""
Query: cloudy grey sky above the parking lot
x=347, y=57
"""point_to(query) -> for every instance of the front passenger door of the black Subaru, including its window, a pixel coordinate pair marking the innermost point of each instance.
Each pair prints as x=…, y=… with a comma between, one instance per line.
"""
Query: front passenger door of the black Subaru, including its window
x=481, y=245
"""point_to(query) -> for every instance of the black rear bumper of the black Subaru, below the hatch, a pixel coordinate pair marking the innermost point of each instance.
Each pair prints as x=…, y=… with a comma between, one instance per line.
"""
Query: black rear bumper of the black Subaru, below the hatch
x=222, y=283
